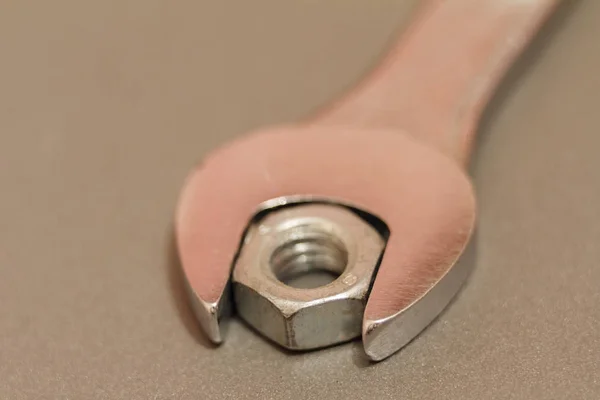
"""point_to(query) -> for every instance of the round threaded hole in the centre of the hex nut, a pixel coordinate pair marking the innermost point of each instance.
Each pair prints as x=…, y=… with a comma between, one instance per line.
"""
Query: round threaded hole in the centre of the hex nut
x=309, y=258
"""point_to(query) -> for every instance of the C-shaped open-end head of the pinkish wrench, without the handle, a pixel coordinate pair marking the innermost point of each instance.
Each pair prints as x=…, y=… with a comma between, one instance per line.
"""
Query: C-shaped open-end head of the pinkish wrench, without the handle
x=423, y=196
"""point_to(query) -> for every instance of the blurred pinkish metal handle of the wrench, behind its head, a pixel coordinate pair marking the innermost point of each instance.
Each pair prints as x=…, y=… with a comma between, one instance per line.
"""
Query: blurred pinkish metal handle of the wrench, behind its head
x=437, y=79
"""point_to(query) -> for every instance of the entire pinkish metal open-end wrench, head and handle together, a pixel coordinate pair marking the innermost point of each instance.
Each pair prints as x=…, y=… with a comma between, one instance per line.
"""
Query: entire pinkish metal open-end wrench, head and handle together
x=425, y=99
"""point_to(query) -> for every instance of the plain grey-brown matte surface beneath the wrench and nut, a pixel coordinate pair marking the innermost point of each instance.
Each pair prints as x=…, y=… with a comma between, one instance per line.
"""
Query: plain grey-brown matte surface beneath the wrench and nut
x=104, y=108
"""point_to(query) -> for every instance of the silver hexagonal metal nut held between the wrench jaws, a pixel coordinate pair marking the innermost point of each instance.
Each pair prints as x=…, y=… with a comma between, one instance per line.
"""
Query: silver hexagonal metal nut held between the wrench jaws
x=301, y=239
